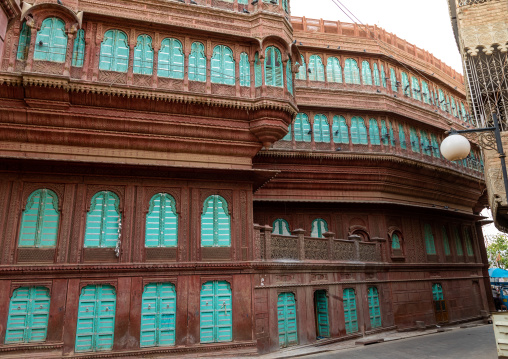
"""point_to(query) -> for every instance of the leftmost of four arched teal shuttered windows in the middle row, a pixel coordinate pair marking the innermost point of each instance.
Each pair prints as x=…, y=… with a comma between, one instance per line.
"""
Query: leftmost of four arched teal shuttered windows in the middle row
x=39, y=221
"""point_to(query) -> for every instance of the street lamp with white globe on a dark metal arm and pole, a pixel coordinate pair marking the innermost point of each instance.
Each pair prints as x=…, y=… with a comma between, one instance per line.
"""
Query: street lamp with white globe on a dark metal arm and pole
x=456, y=147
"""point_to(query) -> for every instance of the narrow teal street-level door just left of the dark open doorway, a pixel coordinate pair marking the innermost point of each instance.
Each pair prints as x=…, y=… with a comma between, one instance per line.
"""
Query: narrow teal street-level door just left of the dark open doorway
x=286, y=317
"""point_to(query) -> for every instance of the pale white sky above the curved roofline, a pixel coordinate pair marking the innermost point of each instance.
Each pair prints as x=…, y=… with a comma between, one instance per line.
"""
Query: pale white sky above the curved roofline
x=425, y=24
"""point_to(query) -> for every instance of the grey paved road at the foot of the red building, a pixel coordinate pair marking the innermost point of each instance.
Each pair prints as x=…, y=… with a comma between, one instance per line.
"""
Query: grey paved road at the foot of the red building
x=470, y=343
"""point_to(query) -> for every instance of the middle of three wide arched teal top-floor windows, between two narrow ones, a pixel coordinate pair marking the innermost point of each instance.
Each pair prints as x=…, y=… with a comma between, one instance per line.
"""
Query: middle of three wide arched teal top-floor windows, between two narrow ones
x=171, y=59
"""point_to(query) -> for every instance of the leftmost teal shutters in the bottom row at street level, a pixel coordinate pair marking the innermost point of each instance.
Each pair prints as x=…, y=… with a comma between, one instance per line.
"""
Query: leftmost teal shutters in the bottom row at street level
x=27, y=321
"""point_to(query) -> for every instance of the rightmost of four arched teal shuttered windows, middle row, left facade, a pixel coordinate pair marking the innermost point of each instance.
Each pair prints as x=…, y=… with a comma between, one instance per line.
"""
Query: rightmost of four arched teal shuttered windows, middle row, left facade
x=215, y=223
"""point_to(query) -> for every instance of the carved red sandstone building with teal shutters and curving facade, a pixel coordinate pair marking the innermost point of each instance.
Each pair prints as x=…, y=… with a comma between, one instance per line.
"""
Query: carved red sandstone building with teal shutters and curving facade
x=184, y=176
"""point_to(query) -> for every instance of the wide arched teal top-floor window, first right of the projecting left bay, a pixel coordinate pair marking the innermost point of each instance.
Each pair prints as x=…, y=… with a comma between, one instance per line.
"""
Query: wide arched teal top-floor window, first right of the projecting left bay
x=114, y=52
